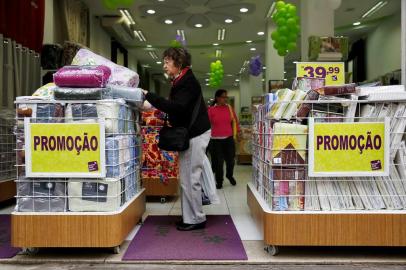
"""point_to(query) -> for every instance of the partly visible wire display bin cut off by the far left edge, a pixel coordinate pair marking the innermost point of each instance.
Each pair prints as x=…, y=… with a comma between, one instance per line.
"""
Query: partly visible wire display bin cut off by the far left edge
x=7, y=155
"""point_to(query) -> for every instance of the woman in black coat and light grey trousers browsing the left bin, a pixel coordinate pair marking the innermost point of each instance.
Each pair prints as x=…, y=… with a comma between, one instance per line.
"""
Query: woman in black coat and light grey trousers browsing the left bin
x=185, y=94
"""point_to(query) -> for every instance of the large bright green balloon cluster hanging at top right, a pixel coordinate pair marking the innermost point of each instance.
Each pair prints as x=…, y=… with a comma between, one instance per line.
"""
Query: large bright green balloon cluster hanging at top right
x=288, y=28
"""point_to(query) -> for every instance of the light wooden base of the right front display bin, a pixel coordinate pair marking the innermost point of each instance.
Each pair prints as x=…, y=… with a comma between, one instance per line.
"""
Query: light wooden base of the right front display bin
x=333, y=228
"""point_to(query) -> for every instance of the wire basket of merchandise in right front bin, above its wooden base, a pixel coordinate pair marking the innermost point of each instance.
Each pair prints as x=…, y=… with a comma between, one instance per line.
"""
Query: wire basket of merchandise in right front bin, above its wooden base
x=281, y=151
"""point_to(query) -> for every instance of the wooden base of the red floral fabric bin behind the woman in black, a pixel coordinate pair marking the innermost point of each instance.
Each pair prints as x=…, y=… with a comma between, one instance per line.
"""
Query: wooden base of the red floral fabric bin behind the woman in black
x=154, y=187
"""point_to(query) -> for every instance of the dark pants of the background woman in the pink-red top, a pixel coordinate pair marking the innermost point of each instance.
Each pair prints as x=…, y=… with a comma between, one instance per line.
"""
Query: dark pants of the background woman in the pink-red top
x=222, y=150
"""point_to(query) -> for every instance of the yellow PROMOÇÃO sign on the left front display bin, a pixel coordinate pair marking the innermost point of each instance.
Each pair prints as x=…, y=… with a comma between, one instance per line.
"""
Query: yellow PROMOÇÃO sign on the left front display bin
x=64, y=149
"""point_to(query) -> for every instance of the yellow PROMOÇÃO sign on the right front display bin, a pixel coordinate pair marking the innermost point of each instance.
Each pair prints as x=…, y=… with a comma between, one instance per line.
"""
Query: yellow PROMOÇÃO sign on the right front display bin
x=349, y=149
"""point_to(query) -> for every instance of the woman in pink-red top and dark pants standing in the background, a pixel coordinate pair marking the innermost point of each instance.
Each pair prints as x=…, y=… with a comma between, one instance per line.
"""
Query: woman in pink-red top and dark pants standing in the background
x=222, y=146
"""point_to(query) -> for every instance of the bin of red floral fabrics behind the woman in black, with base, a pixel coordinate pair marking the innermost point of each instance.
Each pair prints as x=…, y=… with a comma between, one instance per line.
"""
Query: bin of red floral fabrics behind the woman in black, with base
x=160, y=170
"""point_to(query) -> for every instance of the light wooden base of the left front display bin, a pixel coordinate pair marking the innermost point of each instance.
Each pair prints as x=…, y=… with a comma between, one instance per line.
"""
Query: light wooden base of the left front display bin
x=85, y=229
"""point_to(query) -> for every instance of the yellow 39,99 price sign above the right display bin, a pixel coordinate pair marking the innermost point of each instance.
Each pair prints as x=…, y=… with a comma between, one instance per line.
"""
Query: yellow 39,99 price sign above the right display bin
x=333, y=73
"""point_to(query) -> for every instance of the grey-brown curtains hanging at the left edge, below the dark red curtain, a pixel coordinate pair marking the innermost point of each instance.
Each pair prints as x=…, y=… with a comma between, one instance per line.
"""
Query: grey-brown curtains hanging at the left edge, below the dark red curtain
x=20, y=71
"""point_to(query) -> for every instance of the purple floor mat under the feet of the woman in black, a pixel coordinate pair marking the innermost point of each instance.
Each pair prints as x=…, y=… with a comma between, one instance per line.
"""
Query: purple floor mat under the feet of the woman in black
x=158, y=239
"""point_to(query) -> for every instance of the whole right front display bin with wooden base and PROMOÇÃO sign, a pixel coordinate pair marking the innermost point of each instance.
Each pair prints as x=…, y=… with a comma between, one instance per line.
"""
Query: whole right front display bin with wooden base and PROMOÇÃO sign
x=300, y=199
